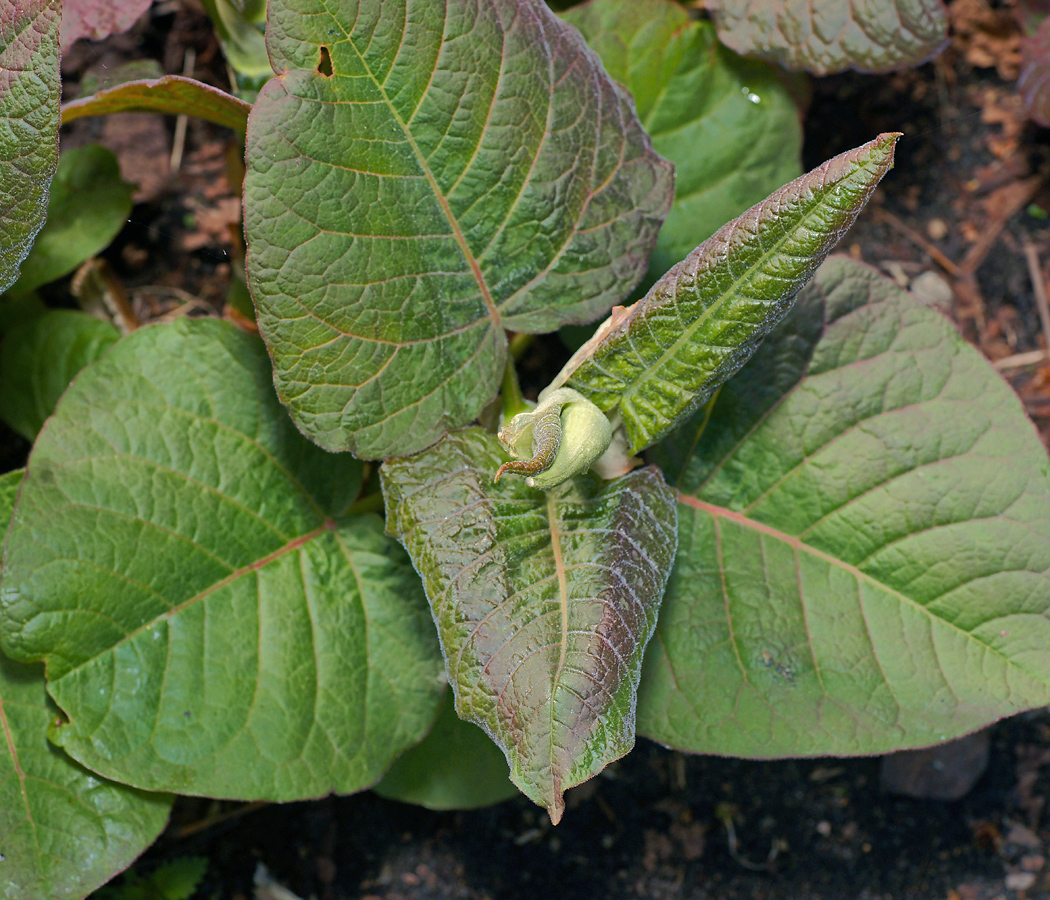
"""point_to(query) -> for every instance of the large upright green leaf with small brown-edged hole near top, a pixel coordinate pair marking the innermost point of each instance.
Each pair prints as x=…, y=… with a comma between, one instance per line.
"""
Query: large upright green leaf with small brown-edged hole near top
x=421, y=178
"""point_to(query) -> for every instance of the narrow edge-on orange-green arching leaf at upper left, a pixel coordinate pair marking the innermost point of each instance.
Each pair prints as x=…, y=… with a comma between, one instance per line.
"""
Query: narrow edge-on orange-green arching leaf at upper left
x=174, y=95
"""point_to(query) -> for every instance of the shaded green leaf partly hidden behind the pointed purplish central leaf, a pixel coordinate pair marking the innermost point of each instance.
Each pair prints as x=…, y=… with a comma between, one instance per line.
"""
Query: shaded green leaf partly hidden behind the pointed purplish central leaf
x=456, y=768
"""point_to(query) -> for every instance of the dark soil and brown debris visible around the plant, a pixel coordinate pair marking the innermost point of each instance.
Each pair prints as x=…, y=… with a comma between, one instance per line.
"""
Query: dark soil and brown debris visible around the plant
x=963, y=222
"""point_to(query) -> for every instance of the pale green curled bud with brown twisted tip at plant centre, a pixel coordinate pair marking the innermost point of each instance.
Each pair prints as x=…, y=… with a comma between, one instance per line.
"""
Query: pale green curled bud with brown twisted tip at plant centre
x=563, y=436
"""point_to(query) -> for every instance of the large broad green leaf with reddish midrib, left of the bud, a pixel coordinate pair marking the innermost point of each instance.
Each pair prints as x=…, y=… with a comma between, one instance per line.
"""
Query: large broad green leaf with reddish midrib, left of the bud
x=214, y=620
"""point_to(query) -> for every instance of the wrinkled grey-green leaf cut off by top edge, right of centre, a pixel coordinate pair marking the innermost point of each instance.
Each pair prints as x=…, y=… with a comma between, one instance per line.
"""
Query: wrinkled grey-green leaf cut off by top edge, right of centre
x=829, y=36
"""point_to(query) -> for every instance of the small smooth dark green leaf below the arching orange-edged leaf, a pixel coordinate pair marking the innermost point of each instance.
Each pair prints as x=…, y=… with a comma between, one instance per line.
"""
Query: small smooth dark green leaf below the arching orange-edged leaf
x=89, y=205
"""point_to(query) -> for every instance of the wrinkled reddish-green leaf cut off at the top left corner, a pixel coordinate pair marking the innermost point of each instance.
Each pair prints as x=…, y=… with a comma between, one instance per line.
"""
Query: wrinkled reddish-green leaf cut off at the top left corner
x=29, y=124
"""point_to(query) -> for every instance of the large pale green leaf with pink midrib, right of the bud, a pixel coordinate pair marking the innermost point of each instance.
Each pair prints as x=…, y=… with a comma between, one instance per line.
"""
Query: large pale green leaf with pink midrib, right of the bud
x=865, y=541
